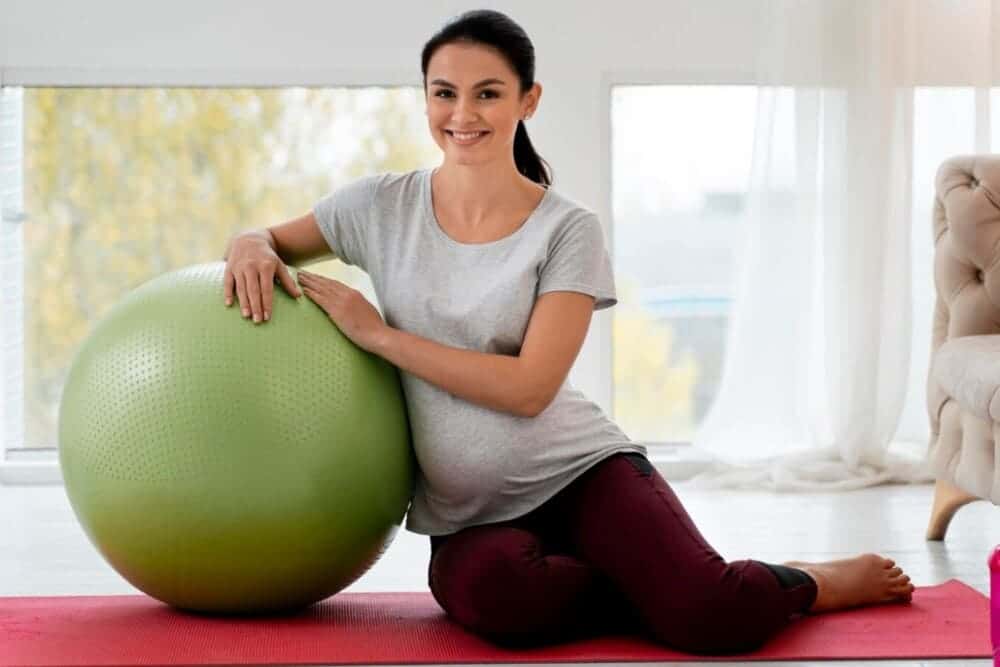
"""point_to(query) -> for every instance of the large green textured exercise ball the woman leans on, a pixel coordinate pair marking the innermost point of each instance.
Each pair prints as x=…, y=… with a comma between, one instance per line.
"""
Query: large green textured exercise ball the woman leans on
x=223, y=466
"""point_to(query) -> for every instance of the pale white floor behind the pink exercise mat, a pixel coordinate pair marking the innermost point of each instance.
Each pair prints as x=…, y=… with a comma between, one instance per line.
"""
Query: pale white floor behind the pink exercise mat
x=43, y=551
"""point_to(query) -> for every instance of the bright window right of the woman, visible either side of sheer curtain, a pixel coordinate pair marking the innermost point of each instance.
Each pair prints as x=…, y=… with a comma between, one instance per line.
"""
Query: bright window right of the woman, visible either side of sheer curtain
x=681, y=158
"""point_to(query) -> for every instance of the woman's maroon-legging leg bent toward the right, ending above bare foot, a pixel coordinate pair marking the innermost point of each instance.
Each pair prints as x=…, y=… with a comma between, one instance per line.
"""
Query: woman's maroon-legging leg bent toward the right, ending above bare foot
x=625, y=520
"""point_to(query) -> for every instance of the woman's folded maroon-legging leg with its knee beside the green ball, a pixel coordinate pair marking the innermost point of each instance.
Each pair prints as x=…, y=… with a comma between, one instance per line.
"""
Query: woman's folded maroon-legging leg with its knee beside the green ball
x=507, y=583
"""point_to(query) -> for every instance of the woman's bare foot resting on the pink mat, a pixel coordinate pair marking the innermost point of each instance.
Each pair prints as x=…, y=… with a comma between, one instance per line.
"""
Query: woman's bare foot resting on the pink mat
x=853, y=582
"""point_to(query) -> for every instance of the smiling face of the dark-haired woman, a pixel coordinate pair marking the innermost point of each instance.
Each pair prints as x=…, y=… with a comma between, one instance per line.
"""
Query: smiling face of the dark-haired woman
x=457, y=101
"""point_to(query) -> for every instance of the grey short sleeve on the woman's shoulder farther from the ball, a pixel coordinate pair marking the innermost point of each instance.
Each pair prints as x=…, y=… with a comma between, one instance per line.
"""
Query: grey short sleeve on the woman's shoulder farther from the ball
x=578, y=261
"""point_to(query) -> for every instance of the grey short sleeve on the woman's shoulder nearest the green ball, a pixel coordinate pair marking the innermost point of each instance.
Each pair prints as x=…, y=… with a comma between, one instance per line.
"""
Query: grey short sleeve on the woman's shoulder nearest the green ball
x=344, y=216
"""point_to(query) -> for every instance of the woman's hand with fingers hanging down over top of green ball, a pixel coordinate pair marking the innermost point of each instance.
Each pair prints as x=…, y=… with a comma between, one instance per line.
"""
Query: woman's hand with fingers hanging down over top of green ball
x=251, y=267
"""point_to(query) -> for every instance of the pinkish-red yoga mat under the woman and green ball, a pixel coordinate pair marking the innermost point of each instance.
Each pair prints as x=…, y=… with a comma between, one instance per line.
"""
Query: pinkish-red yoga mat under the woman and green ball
x=946, y=621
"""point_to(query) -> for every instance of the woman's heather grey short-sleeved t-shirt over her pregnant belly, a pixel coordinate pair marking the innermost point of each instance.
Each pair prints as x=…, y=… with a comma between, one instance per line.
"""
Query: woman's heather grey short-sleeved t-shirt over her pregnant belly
x=477, y=465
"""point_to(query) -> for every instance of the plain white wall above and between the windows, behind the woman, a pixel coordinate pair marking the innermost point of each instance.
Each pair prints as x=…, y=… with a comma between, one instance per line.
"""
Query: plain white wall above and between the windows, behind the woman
x=579, y=48
